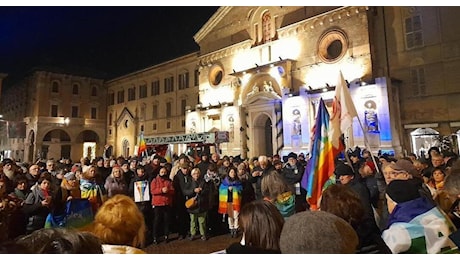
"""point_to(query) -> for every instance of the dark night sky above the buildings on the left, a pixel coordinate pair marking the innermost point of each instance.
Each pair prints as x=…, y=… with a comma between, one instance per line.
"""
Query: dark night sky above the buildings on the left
x=111, y=40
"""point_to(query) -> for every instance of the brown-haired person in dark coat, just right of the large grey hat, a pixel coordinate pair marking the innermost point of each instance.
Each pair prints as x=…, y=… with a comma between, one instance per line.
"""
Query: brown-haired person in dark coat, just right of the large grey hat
x=343, y=202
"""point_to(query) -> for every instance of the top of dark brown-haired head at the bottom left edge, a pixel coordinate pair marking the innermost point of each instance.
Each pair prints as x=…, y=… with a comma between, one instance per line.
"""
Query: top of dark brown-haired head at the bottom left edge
x=60, y=241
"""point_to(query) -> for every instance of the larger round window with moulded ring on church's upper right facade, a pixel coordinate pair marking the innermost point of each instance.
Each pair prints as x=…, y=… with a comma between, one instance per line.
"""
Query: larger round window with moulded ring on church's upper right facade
x=332, y=46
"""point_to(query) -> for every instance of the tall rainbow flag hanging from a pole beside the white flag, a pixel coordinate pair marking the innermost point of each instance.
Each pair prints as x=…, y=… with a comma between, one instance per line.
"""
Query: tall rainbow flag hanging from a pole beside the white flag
x=319, y=172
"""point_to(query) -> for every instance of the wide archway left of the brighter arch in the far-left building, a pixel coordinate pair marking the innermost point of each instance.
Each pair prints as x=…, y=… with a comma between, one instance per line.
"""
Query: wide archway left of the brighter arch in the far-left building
x=56, y=144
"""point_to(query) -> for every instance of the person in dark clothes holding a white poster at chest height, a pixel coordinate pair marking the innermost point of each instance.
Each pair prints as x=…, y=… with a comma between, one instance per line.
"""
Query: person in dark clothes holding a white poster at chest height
x=139, y=190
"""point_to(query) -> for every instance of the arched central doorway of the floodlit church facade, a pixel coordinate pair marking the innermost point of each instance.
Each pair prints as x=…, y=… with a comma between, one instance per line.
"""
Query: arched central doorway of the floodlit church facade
x=263, y=135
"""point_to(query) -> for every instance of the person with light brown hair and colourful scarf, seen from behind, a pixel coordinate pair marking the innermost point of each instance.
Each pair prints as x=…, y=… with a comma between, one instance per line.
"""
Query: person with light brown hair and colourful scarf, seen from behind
x=276, y=190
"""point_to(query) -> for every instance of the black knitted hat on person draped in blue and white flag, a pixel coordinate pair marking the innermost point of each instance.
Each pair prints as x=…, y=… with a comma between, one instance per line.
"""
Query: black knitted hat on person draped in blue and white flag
x=403, y=190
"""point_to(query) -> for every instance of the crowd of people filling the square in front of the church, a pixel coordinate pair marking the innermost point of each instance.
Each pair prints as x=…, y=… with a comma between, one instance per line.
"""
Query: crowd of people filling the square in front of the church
x=380, y=204
